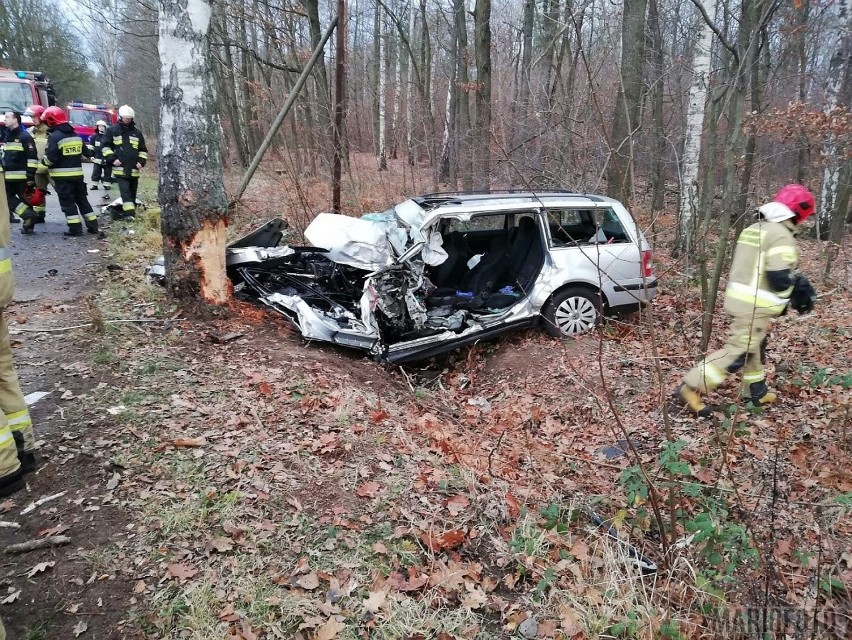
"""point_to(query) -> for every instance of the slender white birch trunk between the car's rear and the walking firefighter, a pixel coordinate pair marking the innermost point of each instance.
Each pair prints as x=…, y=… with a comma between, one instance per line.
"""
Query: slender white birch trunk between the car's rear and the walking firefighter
x=694, y=127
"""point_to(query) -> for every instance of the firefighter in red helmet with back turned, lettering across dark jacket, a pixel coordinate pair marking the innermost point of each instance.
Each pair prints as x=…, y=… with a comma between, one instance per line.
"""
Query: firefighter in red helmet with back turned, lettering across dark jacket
x=64, y=161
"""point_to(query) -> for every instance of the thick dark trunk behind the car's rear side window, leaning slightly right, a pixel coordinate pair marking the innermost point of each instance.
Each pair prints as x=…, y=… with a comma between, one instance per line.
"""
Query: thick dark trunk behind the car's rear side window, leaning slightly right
x=625, y=120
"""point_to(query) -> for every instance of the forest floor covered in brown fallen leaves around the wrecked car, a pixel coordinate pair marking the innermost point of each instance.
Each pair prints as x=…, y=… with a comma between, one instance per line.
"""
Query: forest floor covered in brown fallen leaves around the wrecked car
x=268, y=488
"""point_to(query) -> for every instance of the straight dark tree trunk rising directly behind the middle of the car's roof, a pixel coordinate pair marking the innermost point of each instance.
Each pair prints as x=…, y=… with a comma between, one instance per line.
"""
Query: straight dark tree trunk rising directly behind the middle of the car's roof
x=482, y=31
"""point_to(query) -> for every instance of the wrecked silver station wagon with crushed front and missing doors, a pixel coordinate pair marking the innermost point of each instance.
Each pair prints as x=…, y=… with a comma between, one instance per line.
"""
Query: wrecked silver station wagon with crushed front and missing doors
x=441, y=271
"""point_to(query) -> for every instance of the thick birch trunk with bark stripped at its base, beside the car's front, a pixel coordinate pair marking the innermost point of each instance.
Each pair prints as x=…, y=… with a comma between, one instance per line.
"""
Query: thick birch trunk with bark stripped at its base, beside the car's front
x=191, y=191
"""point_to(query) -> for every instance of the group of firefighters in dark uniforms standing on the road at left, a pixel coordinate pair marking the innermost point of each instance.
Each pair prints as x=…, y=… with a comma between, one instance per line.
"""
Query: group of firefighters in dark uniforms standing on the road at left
x=50, y=155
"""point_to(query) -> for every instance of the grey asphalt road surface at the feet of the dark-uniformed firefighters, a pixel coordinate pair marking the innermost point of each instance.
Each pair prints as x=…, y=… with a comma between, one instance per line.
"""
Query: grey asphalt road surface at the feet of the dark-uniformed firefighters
x=50, y=266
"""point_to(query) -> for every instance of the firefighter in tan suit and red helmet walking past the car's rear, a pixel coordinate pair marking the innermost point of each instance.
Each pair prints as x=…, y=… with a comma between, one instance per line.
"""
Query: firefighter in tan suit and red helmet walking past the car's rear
x=763, y=282
